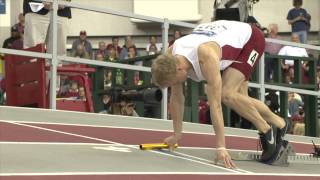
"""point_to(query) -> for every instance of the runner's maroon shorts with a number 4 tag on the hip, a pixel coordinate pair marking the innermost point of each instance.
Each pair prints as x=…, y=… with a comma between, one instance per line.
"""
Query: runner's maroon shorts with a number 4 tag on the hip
x=250, y=53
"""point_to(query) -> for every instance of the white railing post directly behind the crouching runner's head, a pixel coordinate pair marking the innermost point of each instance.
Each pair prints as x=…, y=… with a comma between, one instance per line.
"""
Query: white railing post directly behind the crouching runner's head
x=165, y=37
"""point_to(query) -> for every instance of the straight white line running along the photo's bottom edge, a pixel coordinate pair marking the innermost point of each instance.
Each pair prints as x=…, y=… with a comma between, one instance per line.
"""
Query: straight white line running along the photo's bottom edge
x=157, y=173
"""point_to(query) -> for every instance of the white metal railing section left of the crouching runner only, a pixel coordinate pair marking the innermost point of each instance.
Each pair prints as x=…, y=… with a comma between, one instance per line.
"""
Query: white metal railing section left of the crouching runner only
x=55, y=58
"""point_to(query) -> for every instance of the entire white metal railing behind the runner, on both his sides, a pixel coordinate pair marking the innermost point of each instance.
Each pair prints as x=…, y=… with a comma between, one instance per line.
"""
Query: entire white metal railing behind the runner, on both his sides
x=55, y=58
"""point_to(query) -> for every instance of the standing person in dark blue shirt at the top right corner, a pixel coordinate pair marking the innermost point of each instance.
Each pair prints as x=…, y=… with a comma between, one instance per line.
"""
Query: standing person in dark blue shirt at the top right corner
x=299, y=19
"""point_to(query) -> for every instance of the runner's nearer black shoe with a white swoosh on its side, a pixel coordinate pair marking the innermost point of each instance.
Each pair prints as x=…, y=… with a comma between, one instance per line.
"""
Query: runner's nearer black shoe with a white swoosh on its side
x=269, y=144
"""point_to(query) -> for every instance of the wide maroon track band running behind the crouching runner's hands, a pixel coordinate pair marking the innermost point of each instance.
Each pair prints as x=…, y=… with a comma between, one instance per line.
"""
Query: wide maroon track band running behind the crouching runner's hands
x=12, y=132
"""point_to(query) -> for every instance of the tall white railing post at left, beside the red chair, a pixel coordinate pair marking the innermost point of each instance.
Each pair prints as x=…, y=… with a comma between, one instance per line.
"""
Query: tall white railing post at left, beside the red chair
x=54, y=61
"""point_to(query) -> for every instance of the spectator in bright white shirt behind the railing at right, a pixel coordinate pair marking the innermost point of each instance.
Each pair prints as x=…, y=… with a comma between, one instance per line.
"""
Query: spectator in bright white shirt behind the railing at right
x=287, y=65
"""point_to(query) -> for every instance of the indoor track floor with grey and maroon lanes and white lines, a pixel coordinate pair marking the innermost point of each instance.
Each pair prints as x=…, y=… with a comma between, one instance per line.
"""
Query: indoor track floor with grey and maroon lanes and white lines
x=44, y=144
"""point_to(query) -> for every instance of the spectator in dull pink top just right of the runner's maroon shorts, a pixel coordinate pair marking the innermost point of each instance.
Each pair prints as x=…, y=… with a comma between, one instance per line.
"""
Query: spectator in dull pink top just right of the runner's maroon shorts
x=271, y=48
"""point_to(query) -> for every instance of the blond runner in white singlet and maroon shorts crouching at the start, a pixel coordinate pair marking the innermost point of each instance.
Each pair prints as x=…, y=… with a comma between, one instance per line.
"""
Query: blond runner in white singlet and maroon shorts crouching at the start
x=234, y=48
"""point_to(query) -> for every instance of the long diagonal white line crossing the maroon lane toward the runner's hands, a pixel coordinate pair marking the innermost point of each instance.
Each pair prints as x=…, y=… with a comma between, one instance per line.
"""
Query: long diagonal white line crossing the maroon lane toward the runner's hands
x=103, y=140
